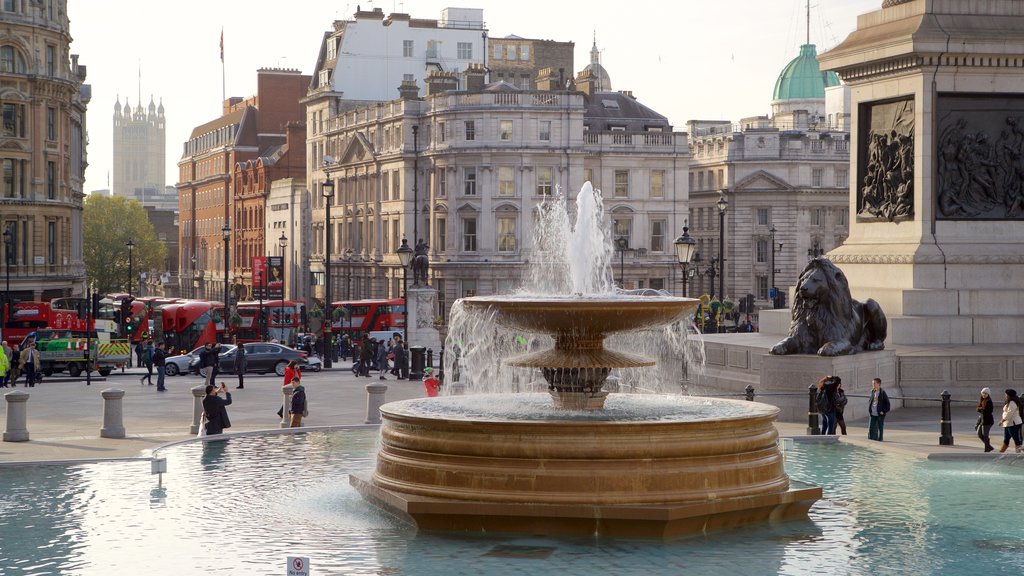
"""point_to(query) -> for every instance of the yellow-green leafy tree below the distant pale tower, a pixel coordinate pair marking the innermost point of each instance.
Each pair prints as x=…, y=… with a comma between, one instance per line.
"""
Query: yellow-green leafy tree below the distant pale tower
x=110, y=223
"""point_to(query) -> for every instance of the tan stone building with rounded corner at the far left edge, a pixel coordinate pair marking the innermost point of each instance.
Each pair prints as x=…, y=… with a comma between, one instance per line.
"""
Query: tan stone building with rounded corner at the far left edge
x=42, y=151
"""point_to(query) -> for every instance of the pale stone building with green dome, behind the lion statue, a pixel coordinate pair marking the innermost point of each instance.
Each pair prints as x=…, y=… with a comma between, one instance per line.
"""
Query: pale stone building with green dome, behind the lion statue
x=788, y=173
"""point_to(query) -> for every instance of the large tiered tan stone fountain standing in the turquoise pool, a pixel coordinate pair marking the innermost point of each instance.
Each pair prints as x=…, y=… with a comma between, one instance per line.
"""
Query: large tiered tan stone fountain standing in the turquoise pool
x=579, y=461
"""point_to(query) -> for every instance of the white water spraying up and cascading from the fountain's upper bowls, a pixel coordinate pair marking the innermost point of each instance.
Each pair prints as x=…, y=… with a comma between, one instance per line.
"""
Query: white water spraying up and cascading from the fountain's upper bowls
x=575, y=261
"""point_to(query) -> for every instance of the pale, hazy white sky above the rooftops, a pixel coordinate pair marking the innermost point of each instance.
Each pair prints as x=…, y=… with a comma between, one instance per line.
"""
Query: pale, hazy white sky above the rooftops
x=709, y=60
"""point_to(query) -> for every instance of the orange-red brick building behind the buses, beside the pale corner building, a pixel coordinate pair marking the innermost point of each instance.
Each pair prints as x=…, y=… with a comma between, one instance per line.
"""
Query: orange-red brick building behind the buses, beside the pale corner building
x=226, y=172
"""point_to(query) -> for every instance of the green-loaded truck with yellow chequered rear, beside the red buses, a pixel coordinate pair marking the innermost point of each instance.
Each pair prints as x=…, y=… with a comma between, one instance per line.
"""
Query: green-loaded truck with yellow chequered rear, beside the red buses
x=66, y=350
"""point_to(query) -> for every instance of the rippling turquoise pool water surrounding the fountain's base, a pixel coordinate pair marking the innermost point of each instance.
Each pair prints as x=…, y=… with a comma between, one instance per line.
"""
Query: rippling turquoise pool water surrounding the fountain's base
x=242, y=507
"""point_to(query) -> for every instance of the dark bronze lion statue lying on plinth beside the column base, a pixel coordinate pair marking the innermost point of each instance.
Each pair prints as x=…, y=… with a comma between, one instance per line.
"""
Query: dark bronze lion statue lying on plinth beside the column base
x=827, y=320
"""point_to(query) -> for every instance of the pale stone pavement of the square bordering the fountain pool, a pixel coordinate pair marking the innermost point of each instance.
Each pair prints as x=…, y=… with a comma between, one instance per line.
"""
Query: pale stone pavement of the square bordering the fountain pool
x=65, y=417
